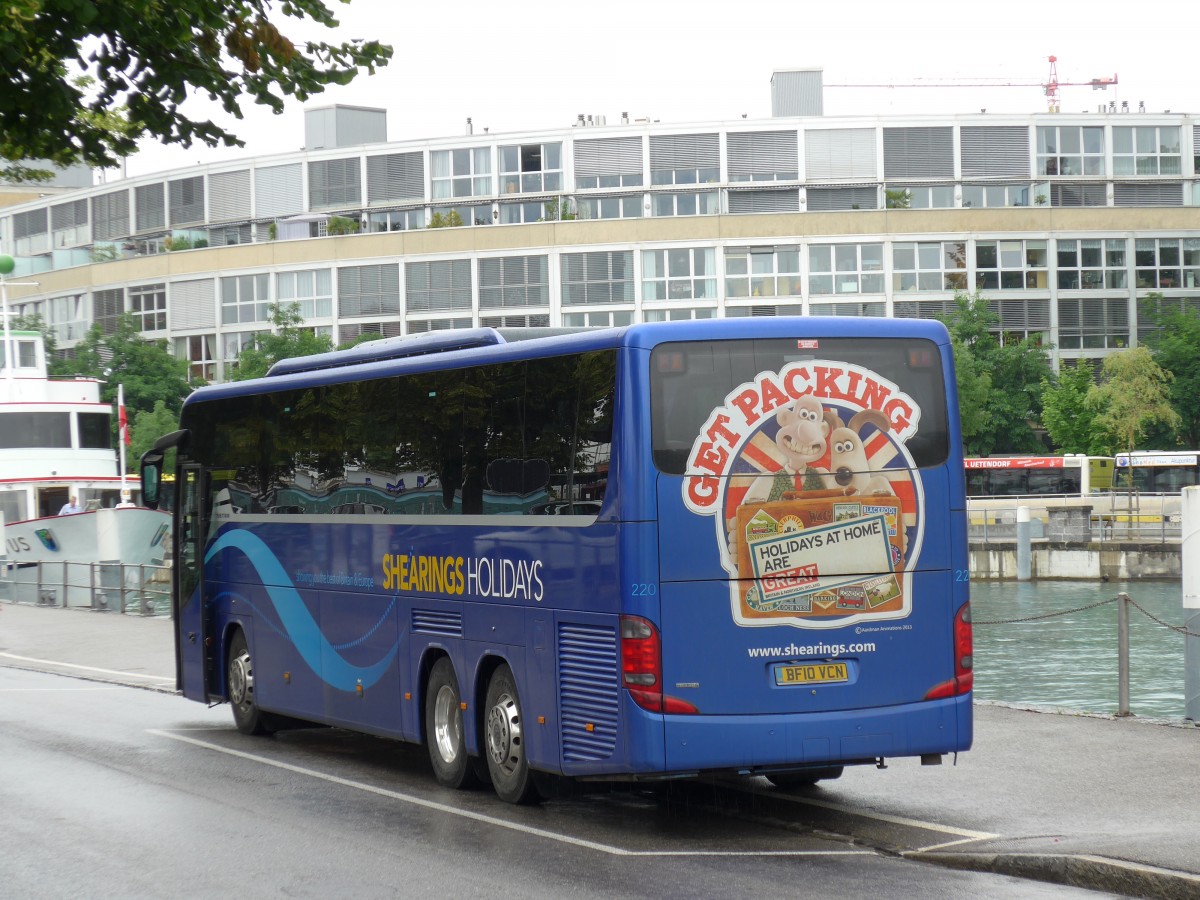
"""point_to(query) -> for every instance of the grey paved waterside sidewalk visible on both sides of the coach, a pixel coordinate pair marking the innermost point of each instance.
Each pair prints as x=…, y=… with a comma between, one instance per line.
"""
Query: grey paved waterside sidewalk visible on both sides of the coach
x=1112, y=805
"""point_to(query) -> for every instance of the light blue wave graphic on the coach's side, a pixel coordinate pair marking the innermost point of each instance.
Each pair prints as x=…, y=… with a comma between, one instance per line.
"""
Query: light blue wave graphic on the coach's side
x=302, y=629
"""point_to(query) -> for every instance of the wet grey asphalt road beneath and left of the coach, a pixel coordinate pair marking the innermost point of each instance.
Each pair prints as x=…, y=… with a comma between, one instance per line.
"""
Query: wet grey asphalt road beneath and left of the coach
x=115, y=791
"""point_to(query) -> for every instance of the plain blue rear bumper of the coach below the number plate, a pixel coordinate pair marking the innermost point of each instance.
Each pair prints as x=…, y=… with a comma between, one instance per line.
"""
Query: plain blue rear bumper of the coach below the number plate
x=748, y=743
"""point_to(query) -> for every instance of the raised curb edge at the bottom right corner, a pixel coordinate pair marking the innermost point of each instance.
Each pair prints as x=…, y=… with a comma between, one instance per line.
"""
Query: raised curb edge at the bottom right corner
x=1082, y=872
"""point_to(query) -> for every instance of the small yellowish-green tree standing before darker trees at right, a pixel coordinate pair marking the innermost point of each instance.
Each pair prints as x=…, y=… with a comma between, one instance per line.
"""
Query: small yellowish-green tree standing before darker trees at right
x=1131, y=398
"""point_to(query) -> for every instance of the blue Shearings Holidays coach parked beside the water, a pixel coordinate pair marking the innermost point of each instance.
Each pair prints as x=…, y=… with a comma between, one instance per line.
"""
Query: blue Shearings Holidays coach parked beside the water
x=657, y=551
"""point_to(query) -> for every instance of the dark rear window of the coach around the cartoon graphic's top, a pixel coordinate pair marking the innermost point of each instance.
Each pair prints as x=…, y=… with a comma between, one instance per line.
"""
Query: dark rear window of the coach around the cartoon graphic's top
x=689, y=381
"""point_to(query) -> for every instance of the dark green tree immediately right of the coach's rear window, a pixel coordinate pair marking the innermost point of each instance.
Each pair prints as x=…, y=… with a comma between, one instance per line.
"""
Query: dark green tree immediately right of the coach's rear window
x=1000, y=385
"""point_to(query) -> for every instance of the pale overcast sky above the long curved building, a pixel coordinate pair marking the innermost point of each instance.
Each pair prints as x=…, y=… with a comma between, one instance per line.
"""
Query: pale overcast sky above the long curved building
x=539, y=64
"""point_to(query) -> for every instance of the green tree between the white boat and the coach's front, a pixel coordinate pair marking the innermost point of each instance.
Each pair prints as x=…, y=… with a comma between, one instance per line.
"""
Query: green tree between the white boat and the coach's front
x=147, y=369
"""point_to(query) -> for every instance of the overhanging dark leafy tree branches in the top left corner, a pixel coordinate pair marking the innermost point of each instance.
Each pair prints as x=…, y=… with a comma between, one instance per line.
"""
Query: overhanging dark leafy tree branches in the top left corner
x=147, y=58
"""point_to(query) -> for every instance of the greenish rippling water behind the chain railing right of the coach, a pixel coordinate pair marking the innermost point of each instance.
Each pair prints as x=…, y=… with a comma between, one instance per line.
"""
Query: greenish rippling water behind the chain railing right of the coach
x=1071, y=662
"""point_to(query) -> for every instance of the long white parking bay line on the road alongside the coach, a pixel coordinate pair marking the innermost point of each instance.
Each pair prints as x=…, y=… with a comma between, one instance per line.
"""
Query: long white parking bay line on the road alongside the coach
x=493, y=820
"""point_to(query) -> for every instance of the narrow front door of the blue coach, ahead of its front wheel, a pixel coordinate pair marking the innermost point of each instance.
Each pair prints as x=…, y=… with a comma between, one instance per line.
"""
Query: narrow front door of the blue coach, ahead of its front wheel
x=194, y=615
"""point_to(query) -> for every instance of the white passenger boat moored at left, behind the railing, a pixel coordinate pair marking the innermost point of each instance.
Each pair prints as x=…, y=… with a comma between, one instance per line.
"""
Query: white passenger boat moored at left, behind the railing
x=57, y=445
